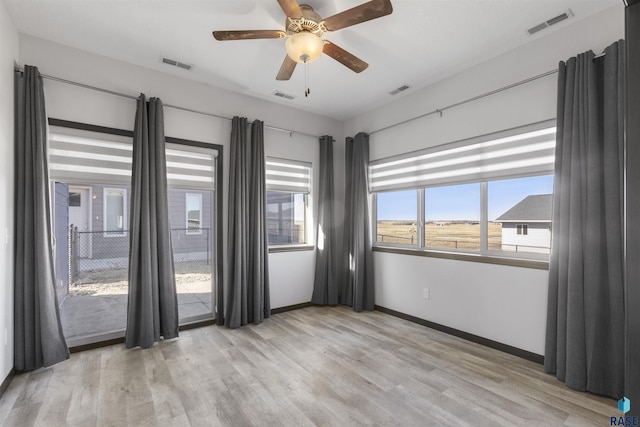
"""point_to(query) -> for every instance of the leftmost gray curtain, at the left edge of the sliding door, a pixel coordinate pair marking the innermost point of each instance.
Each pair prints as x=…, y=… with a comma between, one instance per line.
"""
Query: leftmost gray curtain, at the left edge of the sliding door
x=39, y=340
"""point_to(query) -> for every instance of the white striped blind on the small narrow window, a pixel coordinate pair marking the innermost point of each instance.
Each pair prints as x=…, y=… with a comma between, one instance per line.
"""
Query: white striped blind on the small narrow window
x=288, y=175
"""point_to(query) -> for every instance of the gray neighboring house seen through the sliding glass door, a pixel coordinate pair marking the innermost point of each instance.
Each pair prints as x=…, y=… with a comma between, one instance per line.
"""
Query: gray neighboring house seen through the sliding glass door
x=100, y=215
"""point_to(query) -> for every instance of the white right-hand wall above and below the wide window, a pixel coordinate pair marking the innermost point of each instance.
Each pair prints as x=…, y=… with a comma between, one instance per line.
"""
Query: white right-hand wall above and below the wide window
x=505, y=304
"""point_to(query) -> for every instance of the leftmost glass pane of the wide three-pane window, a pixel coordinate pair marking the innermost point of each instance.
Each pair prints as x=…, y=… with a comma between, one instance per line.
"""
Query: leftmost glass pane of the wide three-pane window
x=397, y=217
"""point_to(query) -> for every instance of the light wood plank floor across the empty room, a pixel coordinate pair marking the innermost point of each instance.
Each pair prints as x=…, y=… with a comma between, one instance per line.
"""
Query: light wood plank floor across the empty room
x=314, y=366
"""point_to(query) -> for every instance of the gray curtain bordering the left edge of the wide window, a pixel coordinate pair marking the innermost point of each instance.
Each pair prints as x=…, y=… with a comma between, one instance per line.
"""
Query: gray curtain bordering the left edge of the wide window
x=357, y=288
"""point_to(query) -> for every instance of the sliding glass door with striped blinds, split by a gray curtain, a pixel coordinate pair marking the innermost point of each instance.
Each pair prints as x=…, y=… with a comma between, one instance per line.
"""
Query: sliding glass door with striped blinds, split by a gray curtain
x=91, y=173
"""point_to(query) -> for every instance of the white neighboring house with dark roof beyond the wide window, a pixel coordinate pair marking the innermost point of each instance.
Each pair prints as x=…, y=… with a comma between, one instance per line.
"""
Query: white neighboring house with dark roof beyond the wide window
x=526, y=227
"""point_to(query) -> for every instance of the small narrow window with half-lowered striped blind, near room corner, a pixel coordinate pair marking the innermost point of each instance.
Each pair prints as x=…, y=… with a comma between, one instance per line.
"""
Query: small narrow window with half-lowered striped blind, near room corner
x=288, y=188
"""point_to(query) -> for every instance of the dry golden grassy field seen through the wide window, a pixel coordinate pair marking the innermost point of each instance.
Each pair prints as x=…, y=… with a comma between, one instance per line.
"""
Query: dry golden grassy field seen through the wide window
x=440, y=235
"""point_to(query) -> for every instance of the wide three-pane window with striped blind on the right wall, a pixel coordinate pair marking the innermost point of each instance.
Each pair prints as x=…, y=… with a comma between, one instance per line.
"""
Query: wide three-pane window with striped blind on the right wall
x=489, y=195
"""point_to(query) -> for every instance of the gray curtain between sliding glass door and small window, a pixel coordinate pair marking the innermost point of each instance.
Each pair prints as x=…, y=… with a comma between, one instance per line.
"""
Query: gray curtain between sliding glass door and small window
x=247, y=298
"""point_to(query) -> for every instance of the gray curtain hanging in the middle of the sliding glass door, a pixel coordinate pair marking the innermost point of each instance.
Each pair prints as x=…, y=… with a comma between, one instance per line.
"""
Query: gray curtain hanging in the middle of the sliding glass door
x=152, y=310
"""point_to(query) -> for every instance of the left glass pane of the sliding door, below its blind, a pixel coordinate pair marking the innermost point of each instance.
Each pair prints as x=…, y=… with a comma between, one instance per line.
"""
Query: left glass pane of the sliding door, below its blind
x=91, y=265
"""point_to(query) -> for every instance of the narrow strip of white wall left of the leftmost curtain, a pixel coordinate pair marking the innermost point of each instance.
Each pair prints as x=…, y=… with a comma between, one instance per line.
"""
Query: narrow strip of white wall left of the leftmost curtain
x=8, y=55
